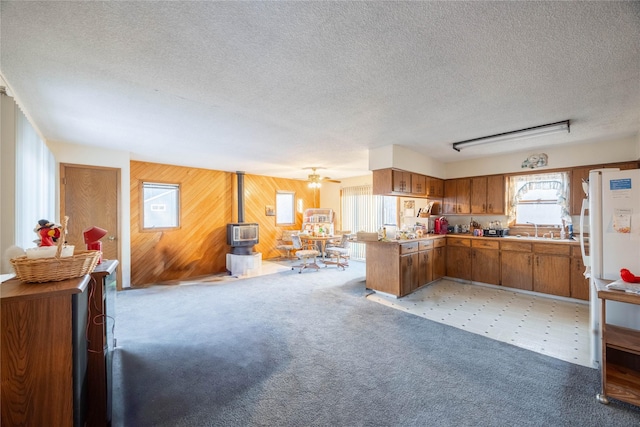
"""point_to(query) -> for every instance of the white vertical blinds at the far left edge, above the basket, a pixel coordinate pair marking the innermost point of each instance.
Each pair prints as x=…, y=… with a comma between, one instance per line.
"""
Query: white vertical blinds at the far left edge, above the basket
x=35, y=182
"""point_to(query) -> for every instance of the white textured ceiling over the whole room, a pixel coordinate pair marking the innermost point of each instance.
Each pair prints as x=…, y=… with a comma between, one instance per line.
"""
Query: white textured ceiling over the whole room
x=273, y=87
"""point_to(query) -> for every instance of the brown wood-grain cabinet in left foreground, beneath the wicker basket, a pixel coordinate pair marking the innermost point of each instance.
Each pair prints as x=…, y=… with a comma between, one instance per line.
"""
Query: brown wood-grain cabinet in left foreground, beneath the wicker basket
x=43, y=352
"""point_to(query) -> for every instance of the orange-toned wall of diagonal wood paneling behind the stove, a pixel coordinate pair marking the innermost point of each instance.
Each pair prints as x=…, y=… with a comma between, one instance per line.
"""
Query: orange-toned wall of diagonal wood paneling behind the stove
x=208, y=204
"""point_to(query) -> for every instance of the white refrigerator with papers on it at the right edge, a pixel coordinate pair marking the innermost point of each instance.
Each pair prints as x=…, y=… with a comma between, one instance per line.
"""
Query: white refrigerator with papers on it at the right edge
x=614, y=243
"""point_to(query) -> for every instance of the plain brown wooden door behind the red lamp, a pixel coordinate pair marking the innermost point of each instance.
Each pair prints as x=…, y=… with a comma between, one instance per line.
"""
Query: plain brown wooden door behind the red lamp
x=89, y=197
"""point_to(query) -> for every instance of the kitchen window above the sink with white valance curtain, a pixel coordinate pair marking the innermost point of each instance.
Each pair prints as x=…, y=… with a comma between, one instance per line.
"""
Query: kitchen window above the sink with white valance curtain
x=540, y=199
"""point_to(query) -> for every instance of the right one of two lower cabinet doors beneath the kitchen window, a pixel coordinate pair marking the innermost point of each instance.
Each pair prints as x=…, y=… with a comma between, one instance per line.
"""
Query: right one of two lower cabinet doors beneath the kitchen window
x=551, y=275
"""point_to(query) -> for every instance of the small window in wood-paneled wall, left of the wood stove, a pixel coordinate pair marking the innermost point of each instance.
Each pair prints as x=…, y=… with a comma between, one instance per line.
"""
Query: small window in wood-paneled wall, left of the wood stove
x=160, y=205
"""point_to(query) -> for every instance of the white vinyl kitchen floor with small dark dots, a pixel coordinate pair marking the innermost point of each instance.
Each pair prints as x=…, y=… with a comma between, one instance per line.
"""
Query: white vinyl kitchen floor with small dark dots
x=555, y=327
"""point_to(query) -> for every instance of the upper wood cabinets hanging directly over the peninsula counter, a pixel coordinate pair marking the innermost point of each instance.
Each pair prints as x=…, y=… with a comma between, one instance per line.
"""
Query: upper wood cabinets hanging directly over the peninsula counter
x=395, y=182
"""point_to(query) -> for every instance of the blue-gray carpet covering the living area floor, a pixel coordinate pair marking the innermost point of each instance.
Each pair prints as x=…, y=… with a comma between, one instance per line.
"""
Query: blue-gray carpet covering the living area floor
x=309, y=349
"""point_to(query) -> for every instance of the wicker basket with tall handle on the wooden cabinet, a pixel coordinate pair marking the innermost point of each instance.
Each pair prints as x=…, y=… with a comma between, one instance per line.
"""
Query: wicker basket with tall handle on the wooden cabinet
x=40, y=270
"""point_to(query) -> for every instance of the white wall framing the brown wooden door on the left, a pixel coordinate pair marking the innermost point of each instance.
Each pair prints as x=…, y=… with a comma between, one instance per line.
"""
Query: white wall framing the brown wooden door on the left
x=93, y=156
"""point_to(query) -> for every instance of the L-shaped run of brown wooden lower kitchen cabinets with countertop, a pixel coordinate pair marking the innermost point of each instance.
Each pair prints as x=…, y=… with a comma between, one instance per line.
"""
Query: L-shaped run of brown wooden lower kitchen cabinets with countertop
x=547, y=266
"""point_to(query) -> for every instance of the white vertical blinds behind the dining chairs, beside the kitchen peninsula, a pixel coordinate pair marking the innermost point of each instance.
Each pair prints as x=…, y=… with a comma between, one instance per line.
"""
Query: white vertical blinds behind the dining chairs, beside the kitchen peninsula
x=362, y=211
